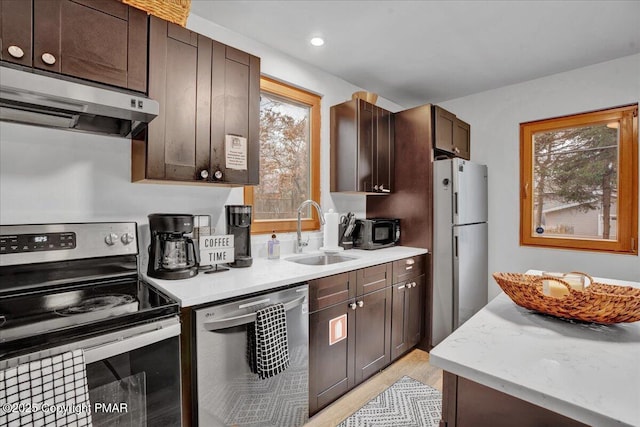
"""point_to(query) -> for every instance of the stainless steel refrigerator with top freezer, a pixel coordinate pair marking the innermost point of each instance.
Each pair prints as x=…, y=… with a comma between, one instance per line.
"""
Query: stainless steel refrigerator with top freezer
x=460, y=254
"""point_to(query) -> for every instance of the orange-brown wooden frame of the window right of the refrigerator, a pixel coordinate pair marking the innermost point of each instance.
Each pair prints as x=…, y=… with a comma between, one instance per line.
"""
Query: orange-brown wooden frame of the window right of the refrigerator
x=627, y=216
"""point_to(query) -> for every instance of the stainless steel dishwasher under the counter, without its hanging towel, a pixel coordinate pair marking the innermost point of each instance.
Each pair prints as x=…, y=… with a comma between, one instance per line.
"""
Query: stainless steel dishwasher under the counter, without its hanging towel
x=228, y=392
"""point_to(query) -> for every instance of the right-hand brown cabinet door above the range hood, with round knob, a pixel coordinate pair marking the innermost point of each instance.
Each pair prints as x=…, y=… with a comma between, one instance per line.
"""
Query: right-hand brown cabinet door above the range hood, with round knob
x=100, y=40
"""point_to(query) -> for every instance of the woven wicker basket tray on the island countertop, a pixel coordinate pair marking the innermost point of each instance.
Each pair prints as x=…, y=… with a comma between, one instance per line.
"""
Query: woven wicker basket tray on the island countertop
x=598, y=303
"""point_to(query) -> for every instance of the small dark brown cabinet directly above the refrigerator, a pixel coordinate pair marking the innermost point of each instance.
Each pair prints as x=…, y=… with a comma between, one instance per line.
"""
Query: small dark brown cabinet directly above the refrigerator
x=451, y=135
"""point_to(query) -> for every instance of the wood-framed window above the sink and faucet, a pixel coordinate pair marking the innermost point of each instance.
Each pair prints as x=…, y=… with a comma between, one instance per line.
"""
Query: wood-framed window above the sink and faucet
x=289, y=159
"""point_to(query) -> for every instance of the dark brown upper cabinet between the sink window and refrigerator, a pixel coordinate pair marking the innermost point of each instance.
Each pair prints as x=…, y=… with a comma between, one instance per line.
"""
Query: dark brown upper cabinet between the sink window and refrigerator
x=362, y=144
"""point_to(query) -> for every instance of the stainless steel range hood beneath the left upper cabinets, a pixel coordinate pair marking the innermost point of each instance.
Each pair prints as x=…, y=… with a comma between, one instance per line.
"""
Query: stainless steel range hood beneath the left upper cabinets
x=31, y=98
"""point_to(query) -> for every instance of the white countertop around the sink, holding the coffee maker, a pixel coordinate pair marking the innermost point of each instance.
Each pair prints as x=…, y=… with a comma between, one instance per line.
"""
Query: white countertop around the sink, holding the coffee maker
x=265, y=274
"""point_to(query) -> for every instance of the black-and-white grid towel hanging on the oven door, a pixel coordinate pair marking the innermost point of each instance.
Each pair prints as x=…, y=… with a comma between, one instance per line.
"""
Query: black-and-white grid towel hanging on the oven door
x=47, y=392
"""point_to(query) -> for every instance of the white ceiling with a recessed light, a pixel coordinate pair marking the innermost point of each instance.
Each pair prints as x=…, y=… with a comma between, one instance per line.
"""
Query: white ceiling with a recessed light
x=414, y=52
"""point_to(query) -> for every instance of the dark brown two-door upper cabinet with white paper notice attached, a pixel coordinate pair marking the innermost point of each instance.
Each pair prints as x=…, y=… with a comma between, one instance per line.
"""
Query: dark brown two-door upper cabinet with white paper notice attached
x=209, y=94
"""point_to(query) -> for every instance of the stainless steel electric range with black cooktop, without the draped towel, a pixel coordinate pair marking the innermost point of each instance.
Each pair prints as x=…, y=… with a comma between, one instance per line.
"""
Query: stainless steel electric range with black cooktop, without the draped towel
x=75, y=287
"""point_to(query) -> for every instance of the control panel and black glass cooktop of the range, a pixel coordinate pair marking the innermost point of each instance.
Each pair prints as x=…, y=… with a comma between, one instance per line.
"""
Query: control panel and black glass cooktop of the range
x=68, y=282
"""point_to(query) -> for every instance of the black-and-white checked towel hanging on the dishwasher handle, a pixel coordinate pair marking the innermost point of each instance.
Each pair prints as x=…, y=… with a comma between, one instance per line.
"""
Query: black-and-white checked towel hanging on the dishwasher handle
x=271, y=342
